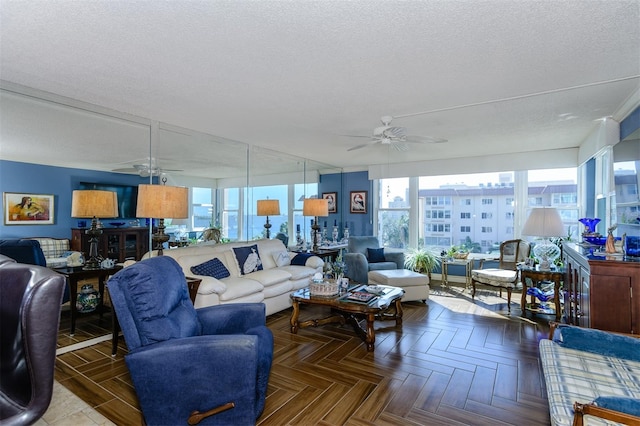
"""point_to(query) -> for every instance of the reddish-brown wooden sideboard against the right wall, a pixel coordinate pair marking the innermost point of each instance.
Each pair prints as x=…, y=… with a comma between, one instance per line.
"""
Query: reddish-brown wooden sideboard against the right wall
x=598, y=291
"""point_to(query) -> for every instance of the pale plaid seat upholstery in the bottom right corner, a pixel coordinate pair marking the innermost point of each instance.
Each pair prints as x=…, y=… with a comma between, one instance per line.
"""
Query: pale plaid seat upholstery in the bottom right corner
x=573, y=375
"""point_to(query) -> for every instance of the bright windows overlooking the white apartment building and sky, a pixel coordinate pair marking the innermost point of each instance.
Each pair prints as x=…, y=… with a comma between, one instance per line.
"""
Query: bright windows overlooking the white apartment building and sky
x=479, y=209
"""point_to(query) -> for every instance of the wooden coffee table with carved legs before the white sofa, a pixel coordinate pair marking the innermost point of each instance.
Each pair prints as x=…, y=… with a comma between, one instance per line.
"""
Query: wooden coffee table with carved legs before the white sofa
x=384, y=307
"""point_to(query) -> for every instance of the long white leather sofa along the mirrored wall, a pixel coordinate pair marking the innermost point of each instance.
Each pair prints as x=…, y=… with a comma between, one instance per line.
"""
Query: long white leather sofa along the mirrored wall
x=272, y=285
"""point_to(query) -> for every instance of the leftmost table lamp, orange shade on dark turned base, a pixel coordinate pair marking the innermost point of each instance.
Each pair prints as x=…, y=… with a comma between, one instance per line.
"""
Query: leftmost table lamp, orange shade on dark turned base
x=94, y=204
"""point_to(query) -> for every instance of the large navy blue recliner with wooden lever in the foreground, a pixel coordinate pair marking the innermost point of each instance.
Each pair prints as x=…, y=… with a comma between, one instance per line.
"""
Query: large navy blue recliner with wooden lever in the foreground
x=188, y=365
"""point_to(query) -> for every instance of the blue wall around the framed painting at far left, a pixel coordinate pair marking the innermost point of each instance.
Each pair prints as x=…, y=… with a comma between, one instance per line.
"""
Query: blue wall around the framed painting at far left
x=56, y=181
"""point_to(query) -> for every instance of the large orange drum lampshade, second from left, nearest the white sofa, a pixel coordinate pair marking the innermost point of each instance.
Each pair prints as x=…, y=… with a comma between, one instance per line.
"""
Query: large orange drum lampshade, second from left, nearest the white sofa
x=161, y=201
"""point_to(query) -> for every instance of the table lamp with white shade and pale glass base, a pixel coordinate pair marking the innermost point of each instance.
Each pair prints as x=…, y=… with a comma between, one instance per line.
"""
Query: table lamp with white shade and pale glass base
x=544, y=222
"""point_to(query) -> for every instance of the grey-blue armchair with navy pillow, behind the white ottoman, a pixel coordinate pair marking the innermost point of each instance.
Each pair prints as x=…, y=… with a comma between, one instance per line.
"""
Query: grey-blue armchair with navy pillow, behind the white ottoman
x=358, y=263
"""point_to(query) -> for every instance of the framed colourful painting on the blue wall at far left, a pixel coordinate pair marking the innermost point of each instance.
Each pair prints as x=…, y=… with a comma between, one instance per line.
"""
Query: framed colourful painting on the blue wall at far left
x=28, y=209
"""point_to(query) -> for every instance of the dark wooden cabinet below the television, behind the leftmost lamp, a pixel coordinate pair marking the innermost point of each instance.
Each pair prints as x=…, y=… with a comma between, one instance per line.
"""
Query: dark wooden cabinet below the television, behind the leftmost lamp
x=119, y=244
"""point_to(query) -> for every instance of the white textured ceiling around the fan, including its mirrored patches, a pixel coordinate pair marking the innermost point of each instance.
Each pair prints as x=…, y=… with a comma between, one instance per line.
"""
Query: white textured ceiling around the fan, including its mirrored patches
x=491, y=77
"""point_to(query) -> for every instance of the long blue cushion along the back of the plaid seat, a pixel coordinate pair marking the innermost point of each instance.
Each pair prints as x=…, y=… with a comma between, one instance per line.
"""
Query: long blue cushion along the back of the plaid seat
x=600, y=342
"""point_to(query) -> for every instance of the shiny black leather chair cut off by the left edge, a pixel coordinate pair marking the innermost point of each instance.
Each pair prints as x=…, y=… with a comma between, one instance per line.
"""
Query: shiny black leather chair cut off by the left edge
x=30, y=299
